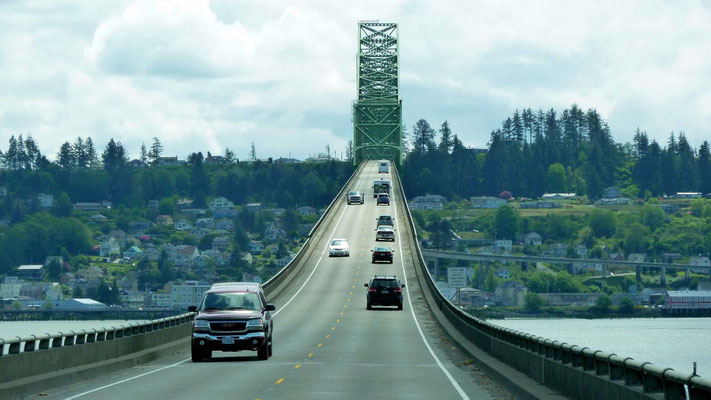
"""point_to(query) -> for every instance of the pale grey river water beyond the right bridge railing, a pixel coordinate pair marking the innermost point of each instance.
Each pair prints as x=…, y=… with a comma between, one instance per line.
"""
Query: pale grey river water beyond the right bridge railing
x=669, y=342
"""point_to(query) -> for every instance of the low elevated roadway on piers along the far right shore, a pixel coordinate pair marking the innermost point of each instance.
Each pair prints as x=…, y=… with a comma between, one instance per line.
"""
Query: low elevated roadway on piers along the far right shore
x=435, y=255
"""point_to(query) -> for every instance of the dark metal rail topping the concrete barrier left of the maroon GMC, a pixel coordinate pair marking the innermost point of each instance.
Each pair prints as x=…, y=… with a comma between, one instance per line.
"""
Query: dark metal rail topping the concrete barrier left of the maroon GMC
x=48, y=341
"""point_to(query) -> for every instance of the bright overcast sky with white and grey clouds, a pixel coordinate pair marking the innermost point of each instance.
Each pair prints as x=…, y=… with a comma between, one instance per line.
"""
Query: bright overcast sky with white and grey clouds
x=206, y=75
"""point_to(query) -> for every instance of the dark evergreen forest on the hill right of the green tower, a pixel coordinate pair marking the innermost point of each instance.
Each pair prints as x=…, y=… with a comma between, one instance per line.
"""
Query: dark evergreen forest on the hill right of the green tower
x=536, y=152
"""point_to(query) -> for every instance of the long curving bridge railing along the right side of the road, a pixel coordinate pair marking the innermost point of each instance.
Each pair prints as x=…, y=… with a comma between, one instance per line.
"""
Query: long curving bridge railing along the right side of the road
x=576, y=372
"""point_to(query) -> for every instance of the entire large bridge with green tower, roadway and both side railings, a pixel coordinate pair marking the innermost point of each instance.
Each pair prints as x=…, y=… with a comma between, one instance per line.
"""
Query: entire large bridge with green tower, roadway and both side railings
x=326, y=344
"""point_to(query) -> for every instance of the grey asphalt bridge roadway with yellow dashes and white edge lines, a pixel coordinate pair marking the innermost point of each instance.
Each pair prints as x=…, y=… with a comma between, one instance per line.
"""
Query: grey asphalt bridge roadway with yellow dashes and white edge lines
x=326, y=344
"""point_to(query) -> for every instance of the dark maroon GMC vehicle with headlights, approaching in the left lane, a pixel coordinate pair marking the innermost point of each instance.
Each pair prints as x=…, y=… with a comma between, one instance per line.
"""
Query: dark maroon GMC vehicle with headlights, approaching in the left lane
x=232, y=317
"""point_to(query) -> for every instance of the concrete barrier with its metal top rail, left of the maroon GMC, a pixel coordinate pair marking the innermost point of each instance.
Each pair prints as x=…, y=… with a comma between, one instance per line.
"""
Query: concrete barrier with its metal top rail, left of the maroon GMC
x=38, y=362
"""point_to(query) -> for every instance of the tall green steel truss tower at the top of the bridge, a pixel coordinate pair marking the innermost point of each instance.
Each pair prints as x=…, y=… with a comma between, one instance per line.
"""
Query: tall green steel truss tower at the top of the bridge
x=377, y=113
